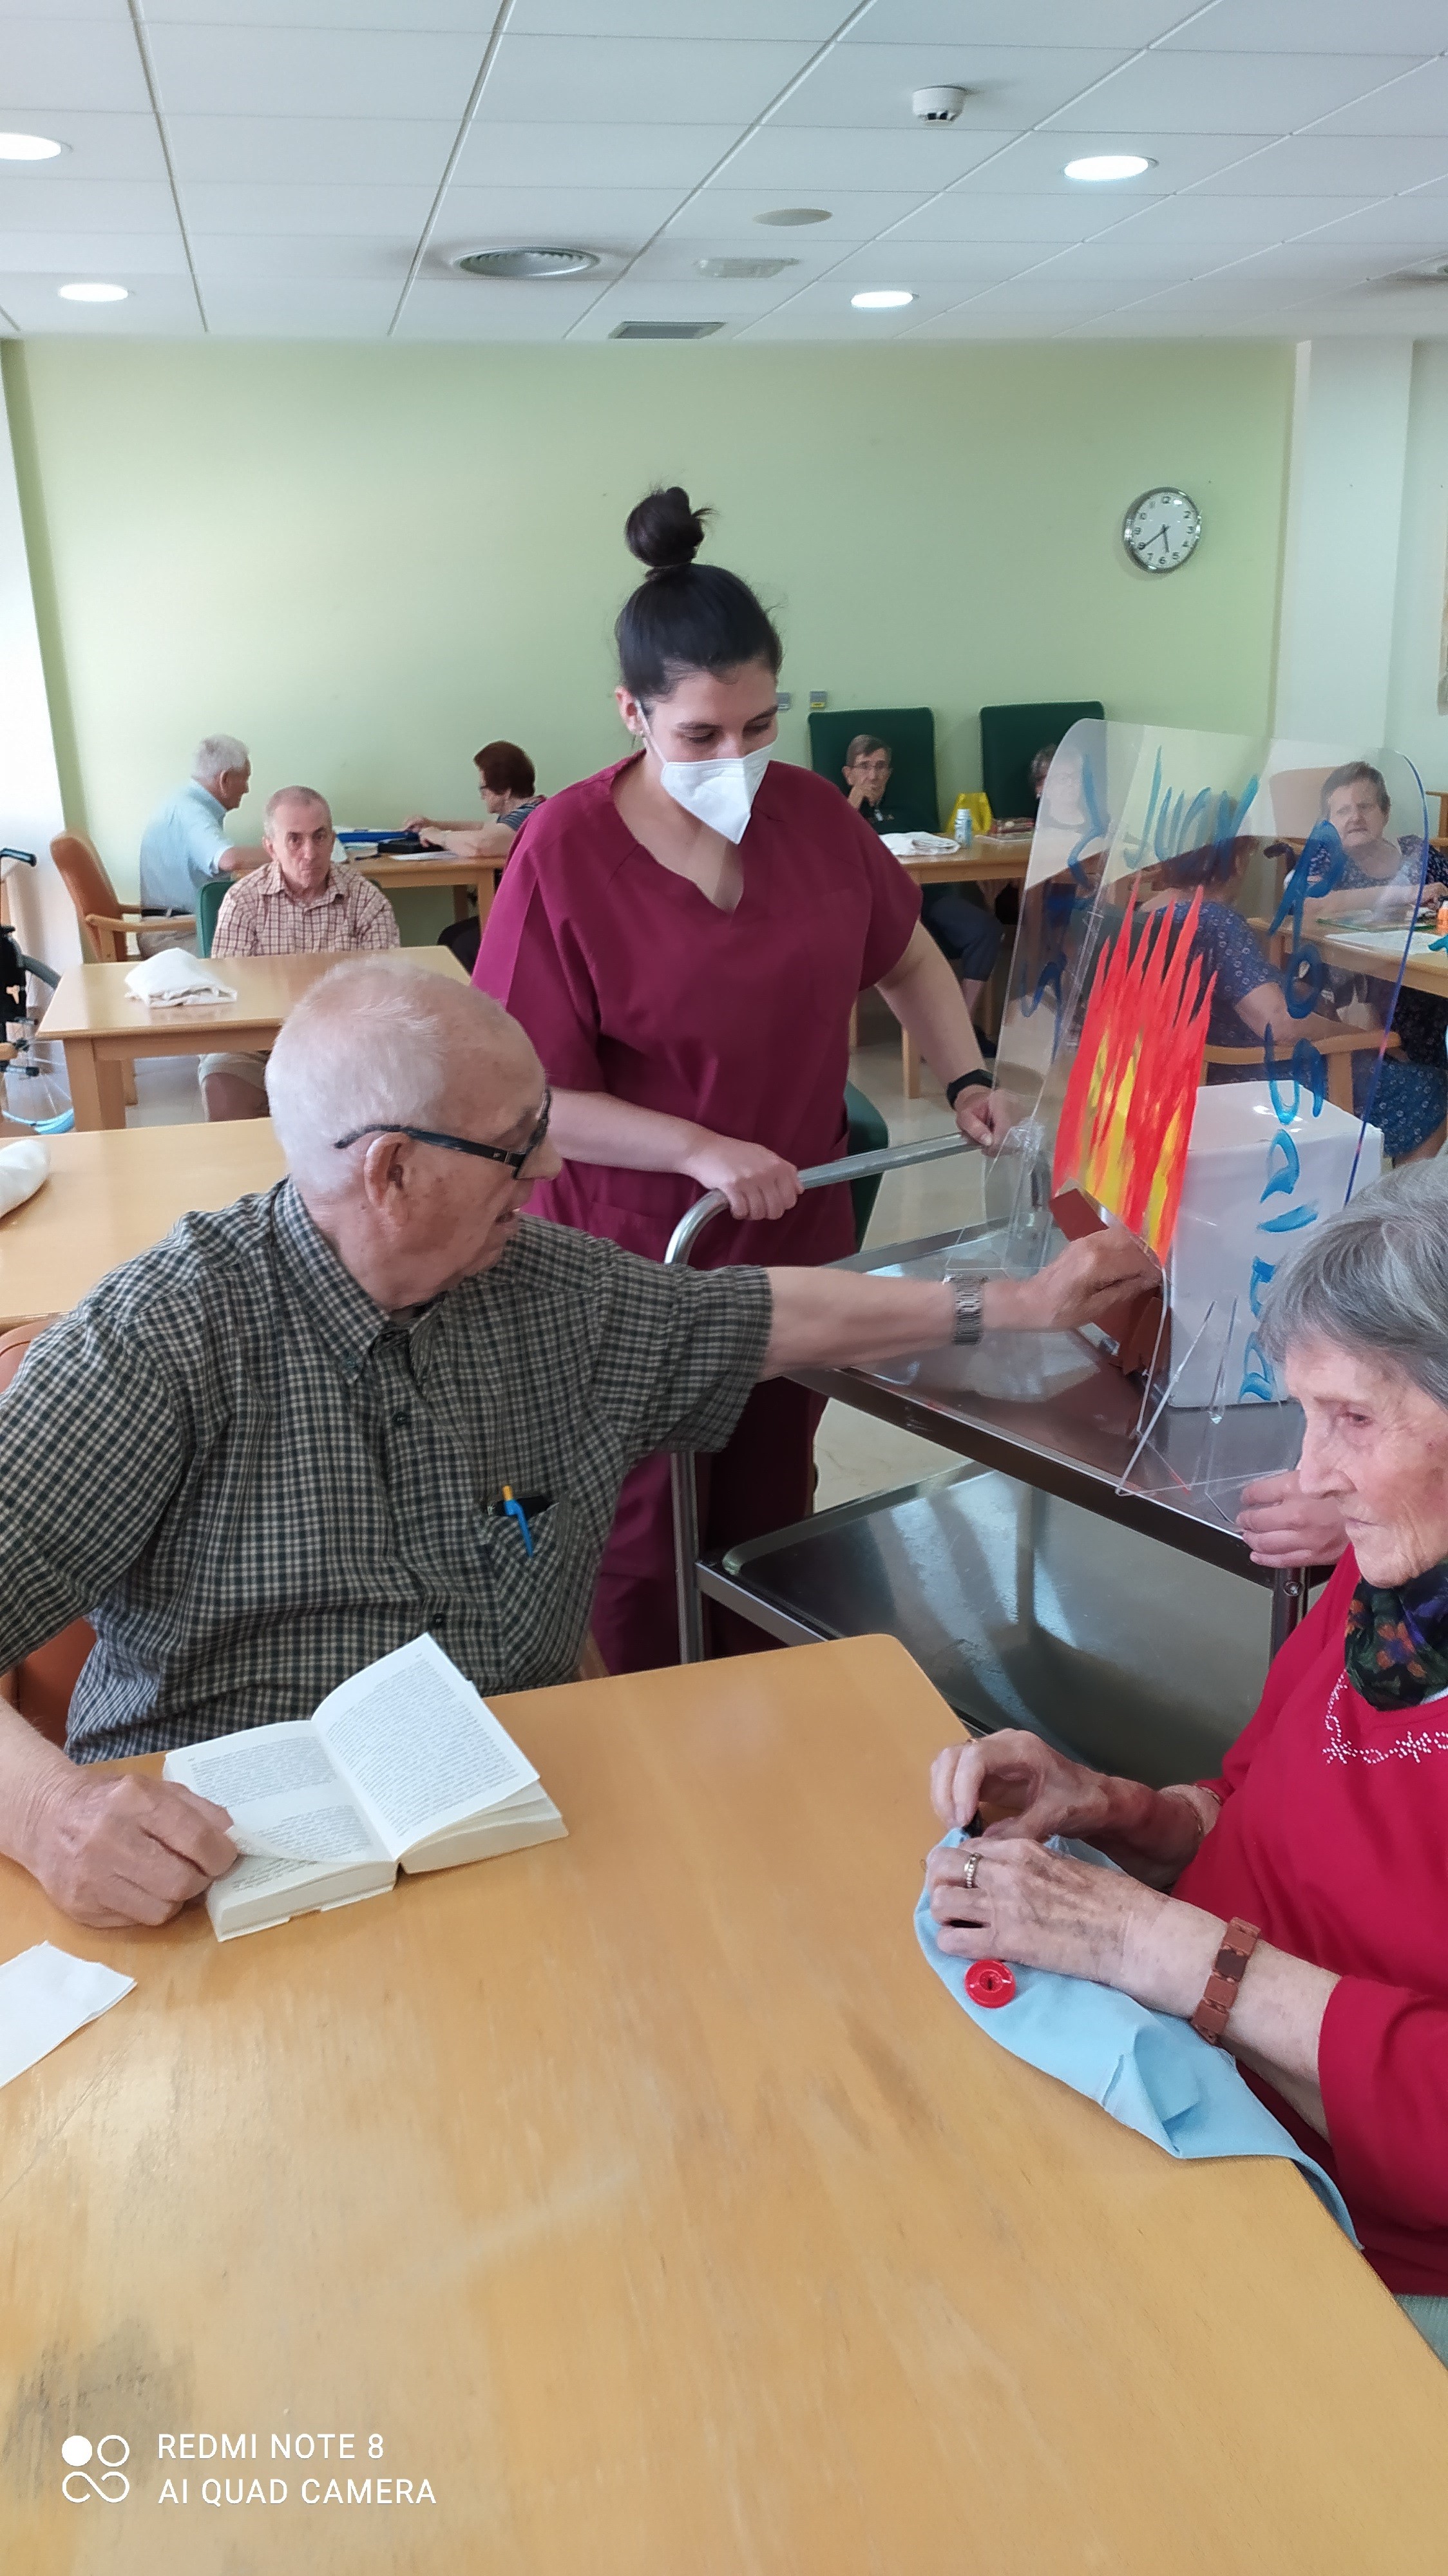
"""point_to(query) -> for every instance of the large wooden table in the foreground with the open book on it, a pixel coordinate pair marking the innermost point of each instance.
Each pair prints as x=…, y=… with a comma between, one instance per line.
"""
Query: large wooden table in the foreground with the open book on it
x=651, y=2199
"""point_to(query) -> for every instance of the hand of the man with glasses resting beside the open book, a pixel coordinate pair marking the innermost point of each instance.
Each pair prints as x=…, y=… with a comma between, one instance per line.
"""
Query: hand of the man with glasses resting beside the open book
x=125, y=1851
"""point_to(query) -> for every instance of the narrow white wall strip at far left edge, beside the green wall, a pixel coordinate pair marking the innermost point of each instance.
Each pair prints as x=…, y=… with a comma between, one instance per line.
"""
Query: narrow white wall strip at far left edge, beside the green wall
x=30, y=787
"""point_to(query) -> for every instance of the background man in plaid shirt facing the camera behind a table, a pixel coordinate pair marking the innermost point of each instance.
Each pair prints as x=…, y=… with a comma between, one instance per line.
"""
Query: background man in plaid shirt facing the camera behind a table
x=295, y=905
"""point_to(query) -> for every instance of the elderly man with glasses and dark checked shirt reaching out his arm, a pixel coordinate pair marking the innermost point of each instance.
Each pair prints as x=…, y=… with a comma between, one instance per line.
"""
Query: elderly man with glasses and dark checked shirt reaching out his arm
x=282, y=1441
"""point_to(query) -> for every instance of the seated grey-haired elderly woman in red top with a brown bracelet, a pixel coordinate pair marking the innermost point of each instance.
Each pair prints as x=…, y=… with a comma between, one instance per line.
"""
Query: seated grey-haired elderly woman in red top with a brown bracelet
x=1318, y=1856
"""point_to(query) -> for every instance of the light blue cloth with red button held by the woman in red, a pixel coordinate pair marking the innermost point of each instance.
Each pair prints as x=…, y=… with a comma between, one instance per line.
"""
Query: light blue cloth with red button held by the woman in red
x=1143, y=2067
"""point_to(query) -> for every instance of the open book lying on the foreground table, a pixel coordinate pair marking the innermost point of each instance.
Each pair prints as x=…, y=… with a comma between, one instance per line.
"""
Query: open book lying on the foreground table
x=398, y=1766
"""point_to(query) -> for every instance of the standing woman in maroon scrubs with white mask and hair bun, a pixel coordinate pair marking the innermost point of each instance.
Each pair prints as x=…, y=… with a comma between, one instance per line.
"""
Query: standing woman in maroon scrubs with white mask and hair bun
x=684, y=939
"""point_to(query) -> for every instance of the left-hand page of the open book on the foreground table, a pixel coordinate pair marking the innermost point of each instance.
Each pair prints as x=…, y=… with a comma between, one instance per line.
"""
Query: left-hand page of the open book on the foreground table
x=282, y=1794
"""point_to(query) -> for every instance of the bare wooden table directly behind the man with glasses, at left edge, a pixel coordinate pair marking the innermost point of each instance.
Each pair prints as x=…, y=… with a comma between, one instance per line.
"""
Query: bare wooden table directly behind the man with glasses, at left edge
x=117, y=1194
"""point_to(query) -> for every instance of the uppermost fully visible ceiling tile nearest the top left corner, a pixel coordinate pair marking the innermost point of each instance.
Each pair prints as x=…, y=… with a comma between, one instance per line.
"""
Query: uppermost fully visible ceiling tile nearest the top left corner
x=318, y=73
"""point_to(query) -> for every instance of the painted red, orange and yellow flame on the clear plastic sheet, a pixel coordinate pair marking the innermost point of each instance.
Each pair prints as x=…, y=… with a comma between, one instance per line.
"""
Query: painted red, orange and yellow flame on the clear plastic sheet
x=1132, y=1091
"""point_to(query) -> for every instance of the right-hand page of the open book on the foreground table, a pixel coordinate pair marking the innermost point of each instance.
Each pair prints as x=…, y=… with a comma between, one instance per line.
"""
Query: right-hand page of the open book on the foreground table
x=419, y=1748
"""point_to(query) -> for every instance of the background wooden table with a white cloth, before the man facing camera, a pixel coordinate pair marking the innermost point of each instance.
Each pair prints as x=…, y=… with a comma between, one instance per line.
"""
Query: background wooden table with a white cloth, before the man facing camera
x=104, y=1029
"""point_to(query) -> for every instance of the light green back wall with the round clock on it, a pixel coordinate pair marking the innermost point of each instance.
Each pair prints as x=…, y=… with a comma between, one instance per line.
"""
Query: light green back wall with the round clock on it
x=370, y=560
